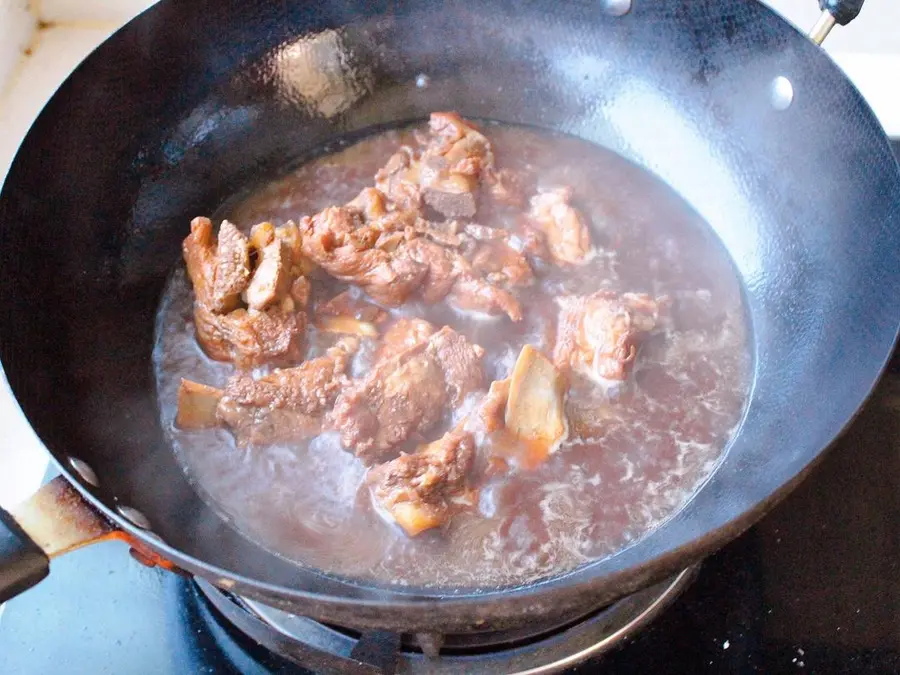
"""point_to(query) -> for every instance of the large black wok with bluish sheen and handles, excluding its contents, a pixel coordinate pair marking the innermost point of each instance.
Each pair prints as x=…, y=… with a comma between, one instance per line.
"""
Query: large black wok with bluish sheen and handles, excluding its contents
x=740, y=113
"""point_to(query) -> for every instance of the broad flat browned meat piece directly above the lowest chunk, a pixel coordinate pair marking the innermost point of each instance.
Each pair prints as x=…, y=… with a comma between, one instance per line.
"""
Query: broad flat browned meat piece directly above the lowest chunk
x=407, y=393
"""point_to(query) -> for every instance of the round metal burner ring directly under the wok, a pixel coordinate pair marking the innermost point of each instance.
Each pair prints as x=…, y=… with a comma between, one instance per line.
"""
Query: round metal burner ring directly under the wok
x=540, y=648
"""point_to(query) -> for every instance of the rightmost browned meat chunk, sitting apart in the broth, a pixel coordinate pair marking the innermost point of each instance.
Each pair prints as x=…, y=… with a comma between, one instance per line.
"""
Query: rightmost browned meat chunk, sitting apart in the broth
x=599, y=334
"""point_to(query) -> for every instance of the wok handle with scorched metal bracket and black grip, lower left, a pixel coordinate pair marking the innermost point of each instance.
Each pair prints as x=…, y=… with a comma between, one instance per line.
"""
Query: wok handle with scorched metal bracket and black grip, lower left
x=53, y=521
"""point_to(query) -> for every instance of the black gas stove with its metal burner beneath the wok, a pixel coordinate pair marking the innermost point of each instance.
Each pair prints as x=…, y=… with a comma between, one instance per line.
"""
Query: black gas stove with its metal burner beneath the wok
x=814, y=587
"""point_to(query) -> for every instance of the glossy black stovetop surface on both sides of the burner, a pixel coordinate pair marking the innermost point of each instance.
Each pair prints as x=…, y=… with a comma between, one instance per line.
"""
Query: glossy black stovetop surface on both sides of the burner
x=814, y=588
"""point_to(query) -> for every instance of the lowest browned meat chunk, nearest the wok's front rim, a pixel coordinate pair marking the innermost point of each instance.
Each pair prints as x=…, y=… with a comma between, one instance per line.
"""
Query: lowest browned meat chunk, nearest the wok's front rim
x=420, y=491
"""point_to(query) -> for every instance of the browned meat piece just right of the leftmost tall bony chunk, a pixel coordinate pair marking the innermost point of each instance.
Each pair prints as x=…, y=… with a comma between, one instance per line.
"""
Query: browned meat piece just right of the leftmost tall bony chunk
x=337, y=240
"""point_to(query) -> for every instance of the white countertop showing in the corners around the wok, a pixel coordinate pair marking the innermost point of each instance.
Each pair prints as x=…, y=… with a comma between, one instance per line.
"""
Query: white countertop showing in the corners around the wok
x=868, y=50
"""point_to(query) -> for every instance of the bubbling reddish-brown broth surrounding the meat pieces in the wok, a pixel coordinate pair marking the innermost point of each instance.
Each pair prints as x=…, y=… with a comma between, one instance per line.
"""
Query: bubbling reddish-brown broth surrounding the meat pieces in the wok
x=637, y=443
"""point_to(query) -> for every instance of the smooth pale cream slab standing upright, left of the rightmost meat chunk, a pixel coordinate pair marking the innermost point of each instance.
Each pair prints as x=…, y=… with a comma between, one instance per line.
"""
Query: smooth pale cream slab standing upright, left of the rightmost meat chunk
x=535, y=411
